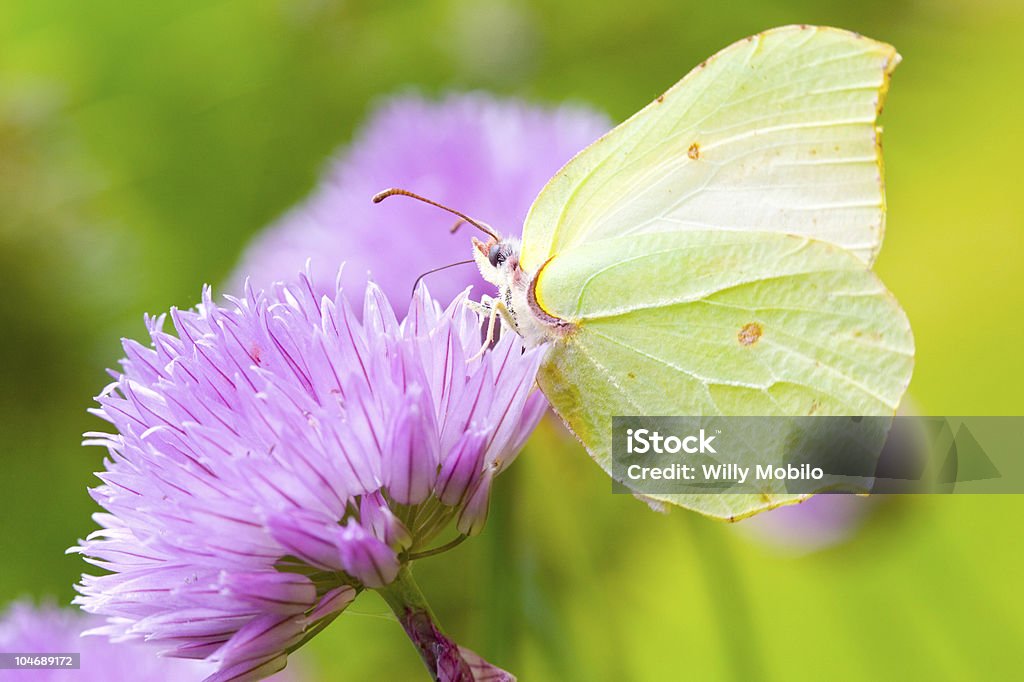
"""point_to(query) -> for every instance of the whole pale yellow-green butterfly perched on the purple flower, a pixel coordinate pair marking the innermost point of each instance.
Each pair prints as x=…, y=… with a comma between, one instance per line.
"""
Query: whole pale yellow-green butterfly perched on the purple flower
x=712, y=254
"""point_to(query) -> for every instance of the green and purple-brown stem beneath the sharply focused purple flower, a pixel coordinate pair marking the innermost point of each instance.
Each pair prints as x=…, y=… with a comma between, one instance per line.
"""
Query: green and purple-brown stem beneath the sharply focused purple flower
x=437, y=651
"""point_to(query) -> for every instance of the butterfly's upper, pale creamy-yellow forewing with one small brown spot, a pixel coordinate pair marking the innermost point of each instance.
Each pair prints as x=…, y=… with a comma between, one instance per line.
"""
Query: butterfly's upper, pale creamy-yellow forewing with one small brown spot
x=775, y=134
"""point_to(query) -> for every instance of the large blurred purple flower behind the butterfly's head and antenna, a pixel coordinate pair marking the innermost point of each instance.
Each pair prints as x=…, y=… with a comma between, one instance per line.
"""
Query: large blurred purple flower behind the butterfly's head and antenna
x=484, y=156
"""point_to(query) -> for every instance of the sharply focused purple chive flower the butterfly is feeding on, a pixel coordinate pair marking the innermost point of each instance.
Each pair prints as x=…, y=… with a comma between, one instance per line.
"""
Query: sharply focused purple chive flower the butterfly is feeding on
x=275, y=456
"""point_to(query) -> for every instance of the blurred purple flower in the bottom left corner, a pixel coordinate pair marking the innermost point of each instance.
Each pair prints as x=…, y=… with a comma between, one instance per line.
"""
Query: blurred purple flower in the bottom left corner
x=27, y=629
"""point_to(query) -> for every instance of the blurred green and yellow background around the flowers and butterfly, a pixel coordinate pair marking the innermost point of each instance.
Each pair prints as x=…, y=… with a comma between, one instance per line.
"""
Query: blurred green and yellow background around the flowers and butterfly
x=143, y=144
